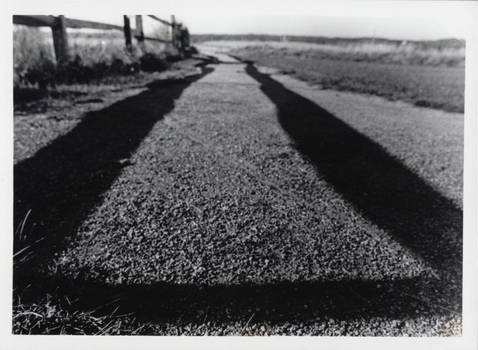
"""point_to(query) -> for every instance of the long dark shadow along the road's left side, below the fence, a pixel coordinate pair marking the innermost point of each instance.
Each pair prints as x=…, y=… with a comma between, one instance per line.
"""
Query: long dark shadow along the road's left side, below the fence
x=58, y=187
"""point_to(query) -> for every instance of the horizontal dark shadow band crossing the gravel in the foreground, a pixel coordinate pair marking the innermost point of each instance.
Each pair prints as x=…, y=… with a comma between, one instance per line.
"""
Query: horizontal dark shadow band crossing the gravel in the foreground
x=273, y=303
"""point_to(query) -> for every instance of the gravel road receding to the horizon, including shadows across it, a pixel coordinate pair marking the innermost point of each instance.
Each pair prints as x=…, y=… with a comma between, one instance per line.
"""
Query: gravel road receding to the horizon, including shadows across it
x=247, y=202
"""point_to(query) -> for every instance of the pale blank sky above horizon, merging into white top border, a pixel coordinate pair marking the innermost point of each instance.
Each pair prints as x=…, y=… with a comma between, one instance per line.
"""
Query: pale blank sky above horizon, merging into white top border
x=415, y=20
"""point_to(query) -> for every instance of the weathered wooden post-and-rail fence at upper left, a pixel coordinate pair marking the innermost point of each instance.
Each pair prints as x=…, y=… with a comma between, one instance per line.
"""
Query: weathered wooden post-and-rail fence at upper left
x=58, y=24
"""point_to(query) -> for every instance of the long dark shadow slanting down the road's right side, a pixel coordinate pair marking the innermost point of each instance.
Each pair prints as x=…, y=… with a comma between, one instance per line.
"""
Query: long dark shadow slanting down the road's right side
x=375, y=182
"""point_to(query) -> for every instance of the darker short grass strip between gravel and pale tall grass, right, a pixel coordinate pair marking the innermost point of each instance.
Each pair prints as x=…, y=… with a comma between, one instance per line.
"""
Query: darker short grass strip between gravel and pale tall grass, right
x=426, y=86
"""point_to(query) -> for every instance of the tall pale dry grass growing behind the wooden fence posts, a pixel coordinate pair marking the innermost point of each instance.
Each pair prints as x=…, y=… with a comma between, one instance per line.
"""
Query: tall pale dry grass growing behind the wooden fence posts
x=94, y=54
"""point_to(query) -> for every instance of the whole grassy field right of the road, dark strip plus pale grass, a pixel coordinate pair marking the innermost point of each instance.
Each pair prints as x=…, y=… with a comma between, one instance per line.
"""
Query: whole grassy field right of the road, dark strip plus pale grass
x=428, y=77
